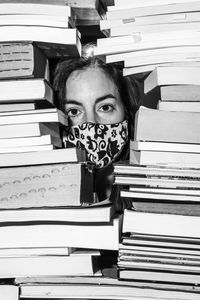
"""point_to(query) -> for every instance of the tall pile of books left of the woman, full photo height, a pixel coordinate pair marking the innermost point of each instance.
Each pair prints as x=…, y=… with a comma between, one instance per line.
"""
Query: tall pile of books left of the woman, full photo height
x=51, y=224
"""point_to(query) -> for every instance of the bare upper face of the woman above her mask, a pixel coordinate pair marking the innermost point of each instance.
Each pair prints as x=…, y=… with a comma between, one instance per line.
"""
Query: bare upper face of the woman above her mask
x=91, y=96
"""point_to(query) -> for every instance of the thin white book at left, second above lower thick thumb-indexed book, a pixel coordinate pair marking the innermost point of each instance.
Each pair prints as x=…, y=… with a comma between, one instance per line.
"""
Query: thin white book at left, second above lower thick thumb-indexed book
x=30, y=141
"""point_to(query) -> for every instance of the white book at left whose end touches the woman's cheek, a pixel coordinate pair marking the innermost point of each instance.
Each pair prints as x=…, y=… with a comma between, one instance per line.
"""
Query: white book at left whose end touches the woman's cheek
x=47, y=115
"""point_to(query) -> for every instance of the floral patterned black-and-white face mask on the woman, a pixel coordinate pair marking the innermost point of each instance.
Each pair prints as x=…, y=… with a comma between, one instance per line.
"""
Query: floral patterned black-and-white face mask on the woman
x=103, y=143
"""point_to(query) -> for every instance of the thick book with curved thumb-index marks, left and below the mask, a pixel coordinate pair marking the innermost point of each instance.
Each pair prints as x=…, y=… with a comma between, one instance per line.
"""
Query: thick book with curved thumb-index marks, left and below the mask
x=71, y=184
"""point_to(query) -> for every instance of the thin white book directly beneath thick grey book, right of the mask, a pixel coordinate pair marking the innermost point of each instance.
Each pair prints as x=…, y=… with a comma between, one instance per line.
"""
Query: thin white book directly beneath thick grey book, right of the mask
x=162, y=146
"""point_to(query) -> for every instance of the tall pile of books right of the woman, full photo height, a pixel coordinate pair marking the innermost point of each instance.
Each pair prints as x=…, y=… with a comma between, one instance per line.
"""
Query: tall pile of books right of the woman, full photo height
x=158, y=42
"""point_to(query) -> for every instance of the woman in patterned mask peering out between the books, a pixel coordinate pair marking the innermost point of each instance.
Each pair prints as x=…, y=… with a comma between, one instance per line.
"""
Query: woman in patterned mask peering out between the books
x=101, y=105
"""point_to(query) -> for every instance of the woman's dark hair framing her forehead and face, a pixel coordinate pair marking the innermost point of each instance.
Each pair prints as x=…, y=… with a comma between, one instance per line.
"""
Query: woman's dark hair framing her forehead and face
x=127, y=86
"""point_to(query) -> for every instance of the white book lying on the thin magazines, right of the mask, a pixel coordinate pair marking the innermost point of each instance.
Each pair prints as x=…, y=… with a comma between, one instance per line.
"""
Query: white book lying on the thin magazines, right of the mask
x=164, y=158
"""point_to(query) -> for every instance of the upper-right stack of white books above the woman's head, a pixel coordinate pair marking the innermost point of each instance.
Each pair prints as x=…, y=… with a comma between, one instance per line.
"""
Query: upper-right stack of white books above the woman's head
x=145, y=34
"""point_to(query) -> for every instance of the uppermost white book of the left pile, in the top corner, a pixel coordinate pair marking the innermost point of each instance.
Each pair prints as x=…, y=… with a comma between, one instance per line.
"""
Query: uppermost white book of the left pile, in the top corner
x=35, y=8
